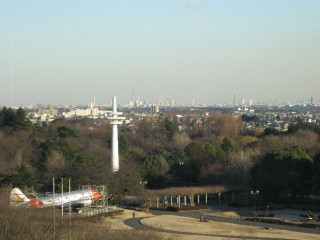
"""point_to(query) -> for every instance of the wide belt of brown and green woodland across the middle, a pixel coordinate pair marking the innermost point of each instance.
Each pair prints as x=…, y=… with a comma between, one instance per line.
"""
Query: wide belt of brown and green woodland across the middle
x=163, y=151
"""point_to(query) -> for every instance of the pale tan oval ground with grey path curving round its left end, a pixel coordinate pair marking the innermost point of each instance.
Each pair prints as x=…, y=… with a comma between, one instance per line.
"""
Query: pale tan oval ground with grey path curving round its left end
x=187, y=224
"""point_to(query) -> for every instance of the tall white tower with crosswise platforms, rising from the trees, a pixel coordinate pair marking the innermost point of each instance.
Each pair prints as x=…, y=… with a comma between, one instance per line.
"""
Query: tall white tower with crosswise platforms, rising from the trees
x=115, y=120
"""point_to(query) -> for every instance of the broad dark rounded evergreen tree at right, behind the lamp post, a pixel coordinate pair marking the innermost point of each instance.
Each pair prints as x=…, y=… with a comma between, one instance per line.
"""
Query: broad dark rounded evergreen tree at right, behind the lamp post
x=284, y=173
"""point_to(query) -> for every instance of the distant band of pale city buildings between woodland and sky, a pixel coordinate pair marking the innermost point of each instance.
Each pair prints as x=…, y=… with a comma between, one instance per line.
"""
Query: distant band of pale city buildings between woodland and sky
x=276, y=118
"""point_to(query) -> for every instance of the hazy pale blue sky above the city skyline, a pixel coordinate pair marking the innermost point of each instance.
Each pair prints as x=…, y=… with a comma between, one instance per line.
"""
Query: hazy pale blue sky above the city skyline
x=67, y=51
